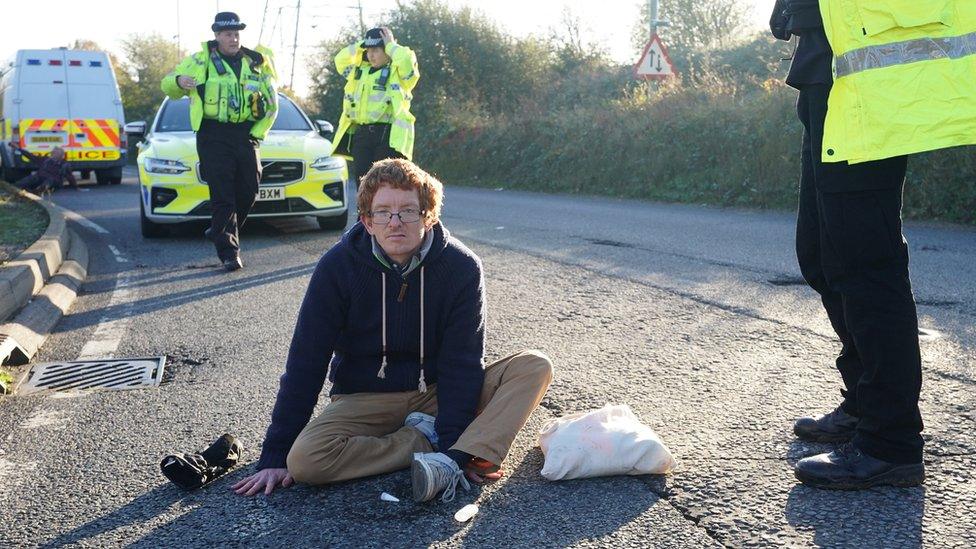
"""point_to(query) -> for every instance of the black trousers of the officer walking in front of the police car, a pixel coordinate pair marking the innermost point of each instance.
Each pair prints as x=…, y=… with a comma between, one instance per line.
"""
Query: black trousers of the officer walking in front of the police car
x=231, y=166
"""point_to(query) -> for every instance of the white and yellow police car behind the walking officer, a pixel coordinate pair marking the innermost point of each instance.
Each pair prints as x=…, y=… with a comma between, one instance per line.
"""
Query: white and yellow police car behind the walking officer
x=299, y=176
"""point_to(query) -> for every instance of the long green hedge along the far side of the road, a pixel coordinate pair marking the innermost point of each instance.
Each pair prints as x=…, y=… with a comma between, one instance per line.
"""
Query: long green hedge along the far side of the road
x=702, y=144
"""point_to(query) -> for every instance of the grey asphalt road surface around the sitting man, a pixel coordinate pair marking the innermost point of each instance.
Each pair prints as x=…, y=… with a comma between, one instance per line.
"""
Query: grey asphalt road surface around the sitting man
x=695, y=317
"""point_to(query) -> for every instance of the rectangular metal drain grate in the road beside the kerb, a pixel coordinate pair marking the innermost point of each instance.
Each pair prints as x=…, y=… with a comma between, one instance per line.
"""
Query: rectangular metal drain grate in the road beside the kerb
x=94, y=374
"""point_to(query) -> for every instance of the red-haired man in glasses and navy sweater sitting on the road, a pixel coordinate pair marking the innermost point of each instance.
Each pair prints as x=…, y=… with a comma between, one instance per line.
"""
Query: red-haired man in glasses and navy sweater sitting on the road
x=398, y=306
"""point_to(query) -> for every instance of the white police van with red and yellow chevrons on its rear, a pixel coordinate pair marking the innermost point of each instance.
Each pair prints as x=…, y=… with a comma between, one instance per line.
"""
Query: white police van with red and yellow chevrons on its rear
x=62, y=98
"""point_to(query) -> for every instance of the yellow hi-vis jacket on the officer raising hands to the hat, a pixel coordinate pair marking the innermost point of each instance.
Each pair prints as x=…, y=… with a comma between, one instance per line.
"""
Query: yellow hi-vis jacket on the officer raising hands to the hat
x=381, y=96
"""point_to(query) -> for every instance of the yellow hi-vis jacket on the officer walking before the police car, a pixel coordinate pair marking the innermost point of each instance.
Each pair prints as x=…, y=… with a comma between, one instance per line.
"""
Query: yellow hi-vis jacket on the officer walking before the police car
x=227, y=98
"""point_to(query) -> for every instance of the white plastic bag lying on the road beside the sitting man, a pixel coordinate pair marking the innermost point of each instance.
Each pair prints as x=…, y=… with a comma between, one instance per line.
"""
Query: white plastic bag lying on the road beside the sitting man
x=604, y=442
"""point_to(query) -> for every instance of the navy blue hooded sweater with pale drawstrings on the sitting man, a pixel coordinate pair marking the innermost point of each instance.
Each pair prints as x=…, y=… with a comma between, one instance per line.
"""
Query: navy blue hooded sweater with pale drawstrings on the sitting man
x=341, y=319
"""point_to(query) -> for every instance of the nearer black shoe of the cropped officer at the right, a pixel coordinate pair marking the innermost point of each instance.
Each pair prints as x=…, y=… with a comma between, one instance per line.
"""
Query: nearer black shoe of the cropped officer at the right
x=848, y=468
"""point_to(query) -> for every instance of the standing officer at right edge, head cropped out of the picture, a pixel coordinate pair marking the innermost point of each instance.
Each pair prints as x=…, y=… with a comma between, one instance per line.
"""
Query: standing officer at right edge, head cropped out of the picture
x=878, y=80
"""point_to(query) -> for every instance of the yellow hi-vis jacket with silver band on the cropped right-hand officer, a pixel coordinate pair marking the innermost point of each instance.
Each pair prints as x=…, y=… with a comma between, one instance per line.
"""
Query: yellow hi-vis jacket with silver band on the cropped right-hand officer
x=904, y=77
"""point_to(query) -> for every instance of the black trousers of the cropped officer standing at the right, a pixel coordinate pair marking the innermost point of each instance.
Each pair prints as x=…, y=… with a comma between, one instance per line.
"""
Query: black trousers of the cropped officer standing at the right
x=851, y=251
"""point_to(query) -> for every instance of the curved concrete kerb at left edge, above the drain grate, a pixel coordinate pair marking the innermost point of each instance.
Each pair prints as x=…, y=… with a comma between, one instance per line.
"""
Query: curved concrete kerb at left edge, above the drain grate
x=42, y=283
